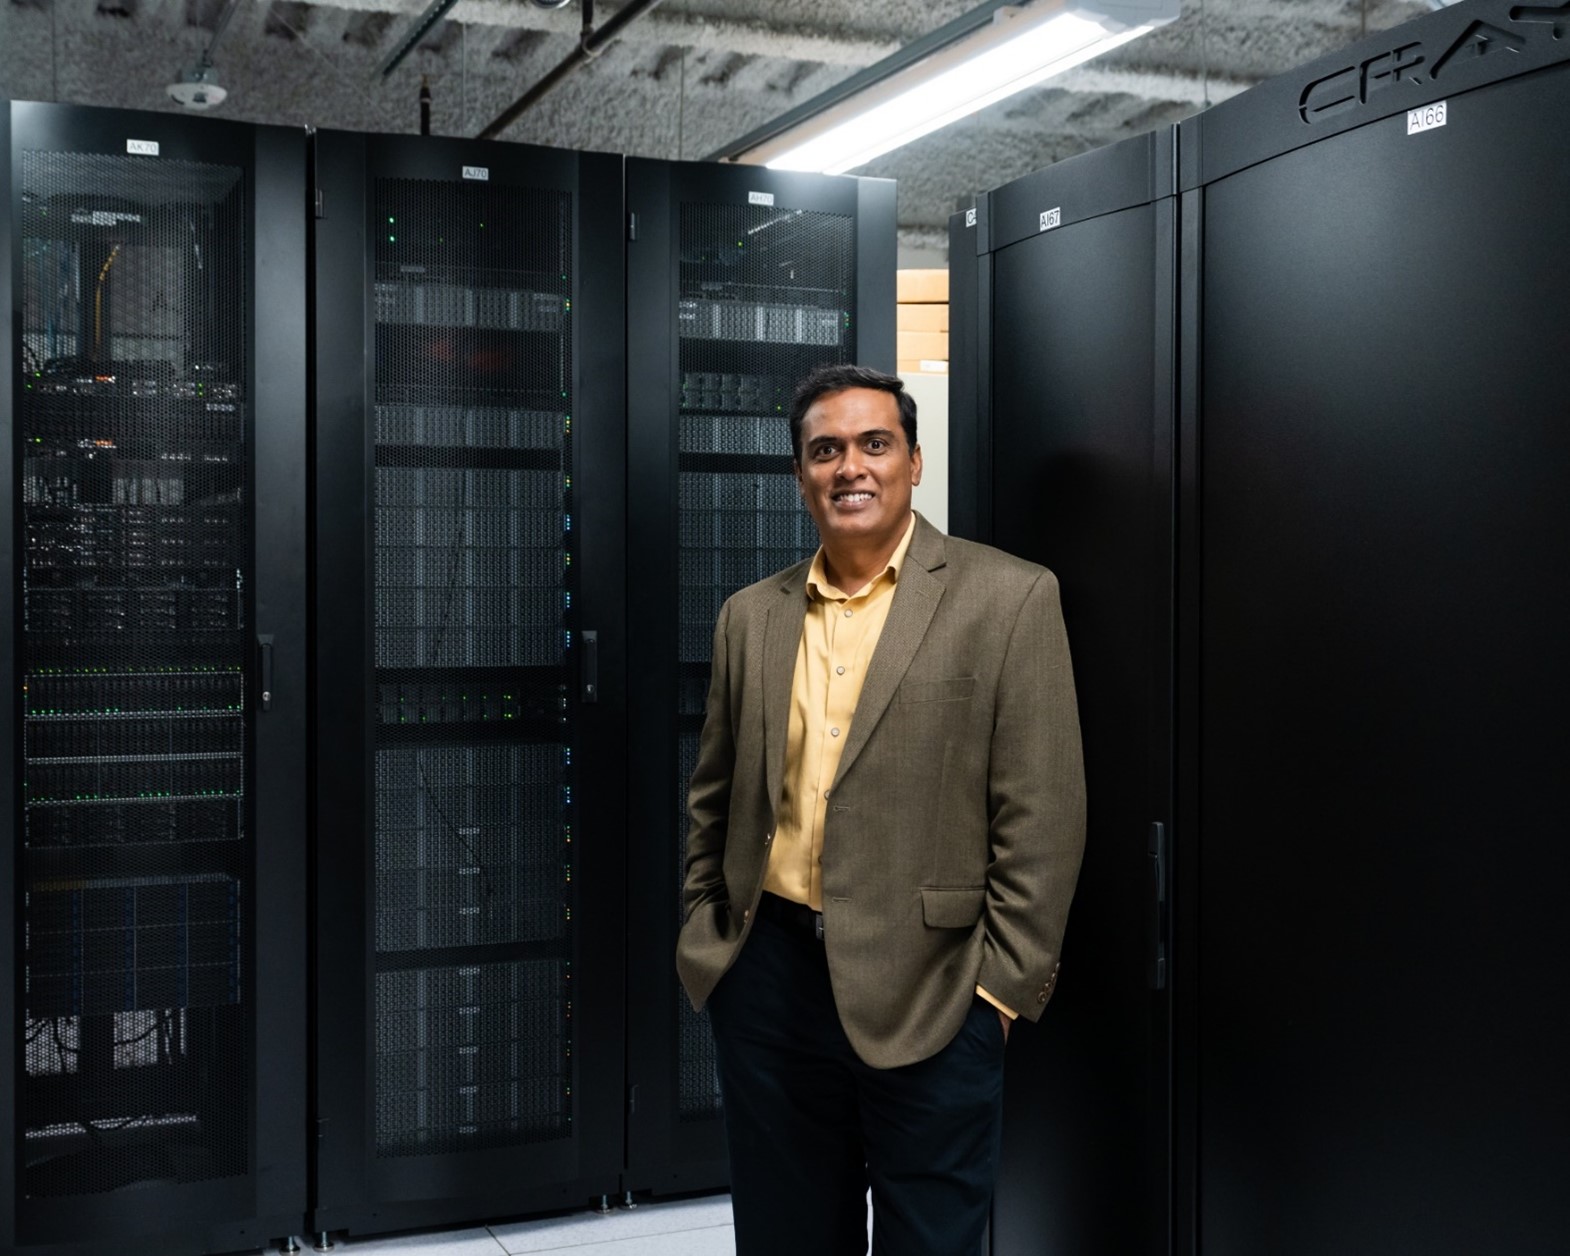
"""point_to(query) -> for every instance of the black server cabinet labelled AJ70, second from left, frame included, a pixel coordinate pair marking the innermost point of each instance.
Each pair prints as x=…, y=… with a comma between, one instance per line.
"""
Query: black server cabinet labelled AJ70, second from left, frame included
x=470, y=498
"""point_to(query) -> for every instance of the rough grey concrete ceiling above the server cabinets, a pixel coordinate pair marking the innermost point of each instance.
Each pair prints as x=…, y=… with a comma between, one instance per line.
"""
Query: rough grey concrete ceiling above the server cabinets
x=681, y=82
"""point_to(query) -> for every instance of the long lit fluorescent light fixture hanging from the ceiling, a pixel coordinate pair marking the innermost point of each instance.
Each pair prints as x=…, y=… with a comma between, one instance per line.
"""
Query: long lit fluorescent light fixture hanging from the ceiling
x=971, y=64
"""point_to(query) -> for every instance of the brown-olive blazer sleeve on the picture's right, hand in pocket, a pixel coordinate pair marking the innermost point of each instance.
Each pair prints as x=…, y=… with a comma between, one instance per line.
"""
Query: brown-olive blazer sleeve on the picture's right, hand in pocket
x=1035, y=806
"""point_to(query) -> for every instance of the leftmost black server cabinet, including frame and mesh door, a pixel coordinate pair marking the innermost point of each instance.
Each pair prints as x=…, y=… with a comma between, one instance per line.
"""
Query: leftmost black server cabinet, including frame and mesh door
x=153, y=699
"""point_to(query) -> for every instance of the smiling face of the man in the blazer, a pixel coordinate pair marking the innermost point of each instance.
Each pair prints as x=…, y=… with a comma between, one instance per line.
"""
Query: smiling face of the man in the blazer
x=856, y=470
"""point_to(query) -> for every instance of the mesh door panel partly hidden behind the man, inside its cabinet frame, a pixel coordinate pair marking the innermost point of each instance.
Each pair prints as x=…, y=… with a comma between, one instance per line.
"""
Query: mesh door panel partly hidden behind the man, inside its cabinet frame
x=764, y=298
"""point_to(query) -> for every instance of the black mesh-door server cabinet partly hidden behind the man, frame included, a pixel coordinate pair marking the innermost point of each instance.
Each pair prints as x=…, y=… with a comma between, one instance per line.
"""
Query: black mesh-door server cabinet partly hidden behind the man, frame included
x=742, y=280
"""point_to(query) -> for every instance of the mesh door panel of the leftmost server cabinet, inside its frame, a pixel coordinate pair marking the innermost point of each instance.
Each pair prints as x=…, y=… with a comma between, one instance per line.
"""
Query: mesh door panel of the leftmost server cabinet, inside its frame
x=136, y=575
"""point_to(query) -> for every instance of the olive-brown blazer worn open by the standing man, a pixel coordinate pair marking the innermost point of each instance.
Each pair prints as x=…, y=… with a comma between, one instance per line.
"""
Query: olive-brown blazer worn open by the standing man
x=957, y=819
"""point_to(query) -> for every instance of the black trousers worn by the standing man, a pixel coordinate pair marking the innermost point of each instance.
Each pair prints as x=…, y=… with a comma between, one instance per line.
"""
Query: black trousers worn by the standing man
x=811, y=1126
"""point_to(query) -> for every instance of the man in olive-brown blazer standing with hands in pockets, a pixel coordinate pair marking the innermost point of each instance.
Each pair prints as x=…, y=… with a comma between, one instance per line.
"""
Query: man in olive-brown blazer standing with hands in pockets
x=886, y=827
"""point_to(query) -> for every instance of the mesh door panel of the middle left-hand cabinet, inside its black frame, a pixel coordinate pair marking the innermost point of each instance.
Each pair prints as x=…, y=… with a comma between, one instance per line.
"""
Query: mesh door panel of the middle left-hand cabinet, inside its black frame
x=473, y=619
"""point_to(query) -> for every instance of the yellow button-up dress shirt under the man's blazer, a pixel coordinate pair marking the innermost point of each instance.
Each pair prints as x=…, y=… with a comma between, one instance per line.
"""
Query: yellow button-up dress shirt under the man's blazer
x=839, y=637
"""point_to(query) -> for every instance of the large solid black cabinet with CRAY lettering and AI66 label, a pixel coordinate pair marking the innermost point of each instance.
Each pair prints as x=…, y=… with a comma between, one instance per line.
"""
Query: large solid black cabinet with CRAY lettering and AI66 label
x=1373, y=663
